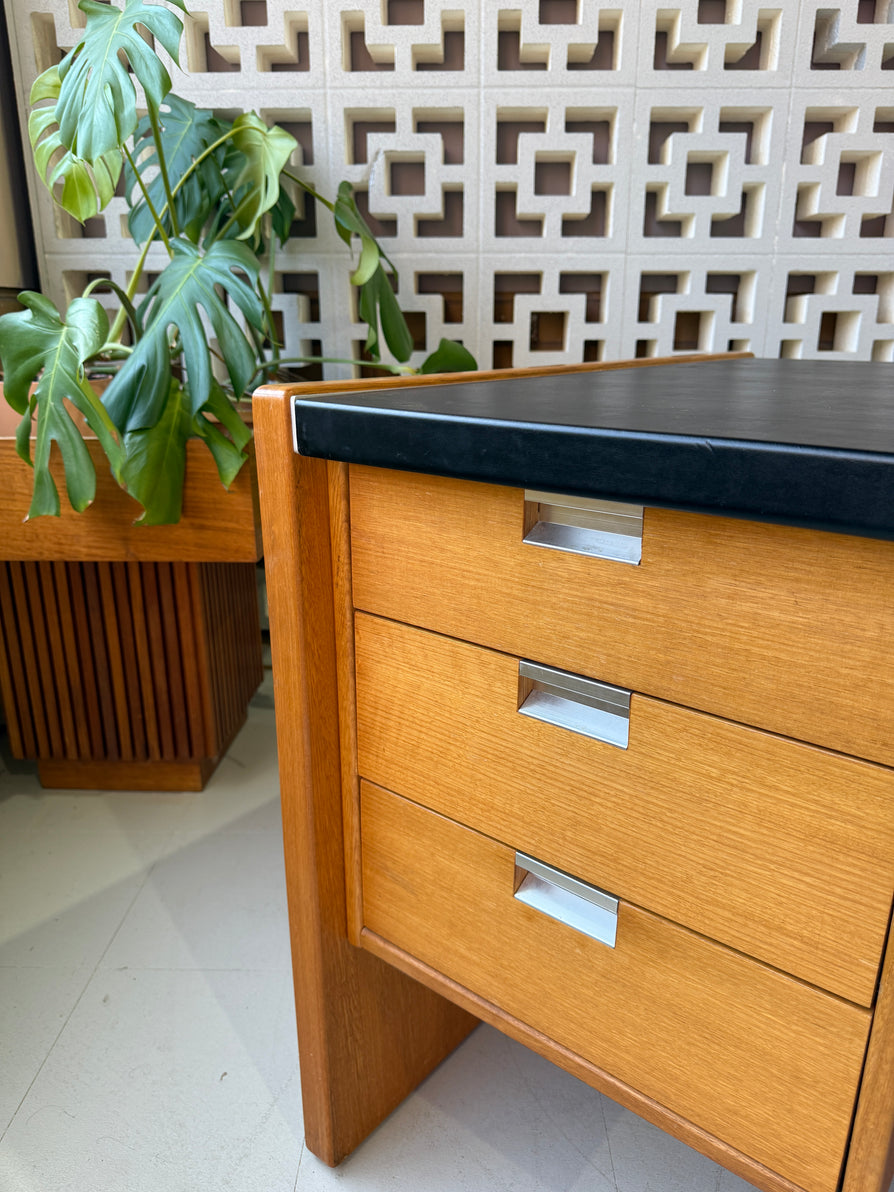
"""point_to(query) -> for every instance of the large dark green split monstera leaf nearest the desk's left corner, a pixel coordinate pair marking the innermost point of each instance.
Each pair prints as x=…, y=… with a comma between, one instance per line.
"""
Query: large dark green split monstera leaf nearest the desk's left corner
x=189, y=285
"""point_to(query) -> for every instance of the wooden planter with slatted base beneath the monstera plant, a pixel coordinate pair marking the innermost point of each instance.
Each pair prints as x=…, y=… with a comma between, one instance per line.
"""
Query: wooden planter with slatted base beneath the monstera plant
x=128, y=655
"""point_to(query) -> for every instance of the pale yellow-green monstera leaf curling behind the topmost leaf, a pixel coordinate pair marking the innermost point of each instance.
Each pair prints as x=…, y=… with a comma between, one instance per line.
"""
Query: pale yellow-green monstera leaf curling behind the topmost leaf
x=86, y=188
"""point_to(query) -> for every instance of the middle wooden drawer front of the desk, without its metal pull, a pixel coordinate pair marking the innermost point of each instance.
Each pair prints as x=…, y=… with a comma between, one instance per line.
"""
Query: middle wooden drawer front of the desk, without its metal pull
x=777, y=848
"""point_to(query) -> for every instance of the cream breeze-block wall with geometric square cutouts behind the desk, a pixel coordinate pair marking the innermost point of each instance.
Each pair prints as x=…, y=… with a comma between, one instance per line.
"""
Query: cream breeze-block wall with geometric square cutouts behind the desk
x=556, y=181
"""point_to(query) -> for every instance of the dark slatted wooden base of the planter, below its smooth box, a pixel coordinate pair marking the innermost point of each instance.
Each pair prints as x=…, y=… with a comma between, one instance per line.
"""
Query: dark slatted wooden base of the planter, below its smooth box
x=127, y=675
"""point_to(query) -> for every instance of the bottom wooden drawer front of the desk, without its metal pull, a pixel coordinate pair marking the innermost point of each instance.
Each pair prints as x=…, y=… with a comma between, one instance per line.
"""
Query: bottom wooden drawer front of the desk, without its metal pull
x=760, y=1060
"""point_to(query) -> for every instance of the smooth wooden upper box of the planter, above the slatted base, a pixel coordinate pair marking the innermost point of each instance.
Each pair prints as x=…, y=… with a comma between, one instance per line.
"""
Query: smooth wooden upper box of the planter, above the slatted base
x=218, y=526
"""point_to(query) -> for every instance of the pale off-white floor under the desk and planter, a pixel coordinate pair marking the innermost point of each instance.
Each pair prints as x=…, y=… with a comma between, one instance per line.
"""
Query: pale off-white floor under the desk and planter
x=147, y=1039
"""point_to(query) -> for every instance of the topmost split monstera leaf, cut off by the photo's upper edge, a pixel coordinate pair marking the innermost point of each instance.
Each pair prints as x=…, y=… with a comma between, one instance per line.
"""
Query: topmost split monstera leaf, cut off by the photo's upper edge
x=97, y=107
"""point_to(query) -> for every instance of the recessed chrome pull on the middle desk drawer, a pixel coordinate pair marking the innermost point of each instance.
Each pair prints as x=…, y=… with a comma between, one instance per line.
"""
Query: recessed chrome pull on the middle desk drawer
x=580, y=705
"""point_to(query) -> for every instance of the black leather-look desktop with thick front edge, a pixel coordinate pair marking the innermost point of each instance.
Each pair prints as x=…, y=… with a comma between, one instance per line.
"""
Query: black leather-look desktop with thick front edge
x=805, y=443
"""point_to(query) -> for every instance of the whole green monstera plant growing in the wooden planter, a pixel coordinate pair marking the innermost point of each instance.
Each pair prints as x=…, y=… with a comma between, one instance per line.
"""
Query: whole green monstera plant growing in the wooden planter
x=216, y=194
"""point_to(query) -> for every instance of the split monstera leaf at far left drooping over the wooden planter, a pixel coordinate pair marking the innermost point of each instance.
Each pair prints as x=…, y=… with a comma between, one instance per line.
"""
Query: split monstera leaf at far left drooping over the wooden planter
x=38, y=344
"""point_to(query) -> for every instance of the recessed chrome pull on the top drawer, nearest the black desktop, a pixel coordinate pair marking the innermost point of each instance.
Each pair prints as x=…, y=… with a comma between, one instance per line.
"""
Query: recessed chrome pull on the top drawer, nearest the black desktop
x=606, y=530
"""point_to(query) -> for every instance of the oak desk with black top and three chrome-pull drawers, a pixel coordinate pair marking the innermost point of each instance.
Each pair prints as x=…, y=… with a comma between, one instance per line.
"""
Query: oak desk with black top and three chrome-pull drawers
x=586, y=709
